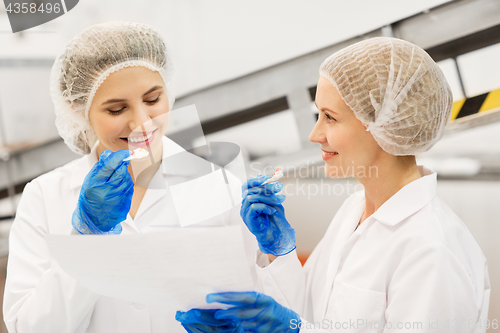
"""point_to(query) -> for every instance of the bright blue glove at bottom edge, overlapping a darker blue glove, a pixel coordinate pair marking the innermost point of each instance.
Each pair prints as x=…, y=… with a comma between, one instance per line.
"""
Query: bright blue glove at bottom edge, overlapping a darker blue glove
x=256, y=312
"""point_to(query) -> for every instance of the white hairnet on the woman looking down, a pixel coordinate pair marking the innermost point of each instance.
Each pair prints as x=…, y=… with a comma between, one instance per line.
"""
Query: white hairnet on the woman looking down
x=86, y=62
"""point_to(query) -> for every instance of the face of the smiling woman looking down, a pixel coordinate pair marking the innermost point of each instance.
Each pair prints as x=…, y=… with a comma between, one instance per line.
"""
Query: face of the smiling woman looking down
x=137, y=95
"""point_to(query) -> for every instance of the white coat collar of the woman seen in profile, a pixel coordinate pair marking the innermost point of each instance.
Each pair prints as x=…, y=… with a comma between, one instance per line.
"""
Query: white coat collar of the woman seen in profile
x=408, y=200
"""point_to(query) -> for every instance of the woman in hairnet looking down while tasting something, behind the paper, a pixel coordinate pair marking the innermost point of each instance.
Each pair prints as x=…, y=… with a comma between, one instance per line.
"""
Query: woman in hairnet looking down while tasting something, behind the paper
x=110, y=88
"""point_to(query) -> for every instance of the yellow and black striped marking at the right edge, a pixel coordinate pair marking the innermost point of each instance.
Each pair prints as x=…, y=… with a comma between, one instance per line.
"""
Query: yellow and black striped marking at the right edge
x=474, y=105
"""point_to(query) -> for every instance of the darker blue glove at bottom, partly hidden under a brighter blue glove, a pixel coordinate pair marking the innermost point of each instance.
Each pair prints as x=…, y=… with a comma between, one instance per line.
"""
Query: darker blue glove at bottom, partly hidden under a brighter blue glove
x=203, y=321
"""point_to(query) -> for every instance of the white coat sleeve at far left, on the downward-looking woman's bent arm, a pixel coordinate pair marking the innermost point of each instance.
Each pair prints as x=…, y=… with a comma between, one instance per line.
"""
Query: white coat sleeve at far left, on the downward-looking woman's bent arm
x=39, y=296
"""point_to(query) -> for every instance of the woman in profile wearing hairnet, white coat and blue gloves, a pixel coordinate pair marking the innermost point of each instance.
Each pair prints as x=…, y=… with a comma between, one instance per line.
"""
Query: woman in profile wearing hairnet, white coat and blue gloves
x=395, y=257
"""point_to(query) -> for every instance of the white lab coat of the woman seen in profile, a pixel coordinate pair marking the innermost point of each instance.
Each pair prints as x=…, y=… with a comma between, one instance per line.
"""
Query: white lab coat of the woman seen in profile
x=413, y=260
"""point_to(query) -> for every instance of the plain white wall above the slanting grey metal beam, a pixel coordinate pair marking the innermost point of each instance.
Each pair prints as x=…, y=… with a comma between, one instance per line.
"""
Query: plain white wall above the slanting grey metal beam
x=217, y=40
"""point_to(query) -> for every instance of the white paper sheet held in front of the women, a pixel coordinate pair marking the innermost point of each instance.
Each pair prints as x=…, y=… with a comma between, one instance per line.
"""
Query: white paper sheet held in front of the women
x=174, y=269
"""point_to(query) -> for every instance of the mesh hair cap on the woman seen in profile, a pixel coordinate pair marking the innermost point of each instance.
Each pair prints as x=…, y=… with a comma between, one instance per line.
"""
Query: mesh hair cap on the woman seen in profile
x=395, y=89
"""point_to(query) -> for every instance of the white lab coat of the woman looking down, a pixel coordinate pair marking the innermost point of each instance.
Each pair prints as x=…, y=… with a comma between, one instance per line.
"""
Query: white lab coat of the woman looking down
x=41, y=298
